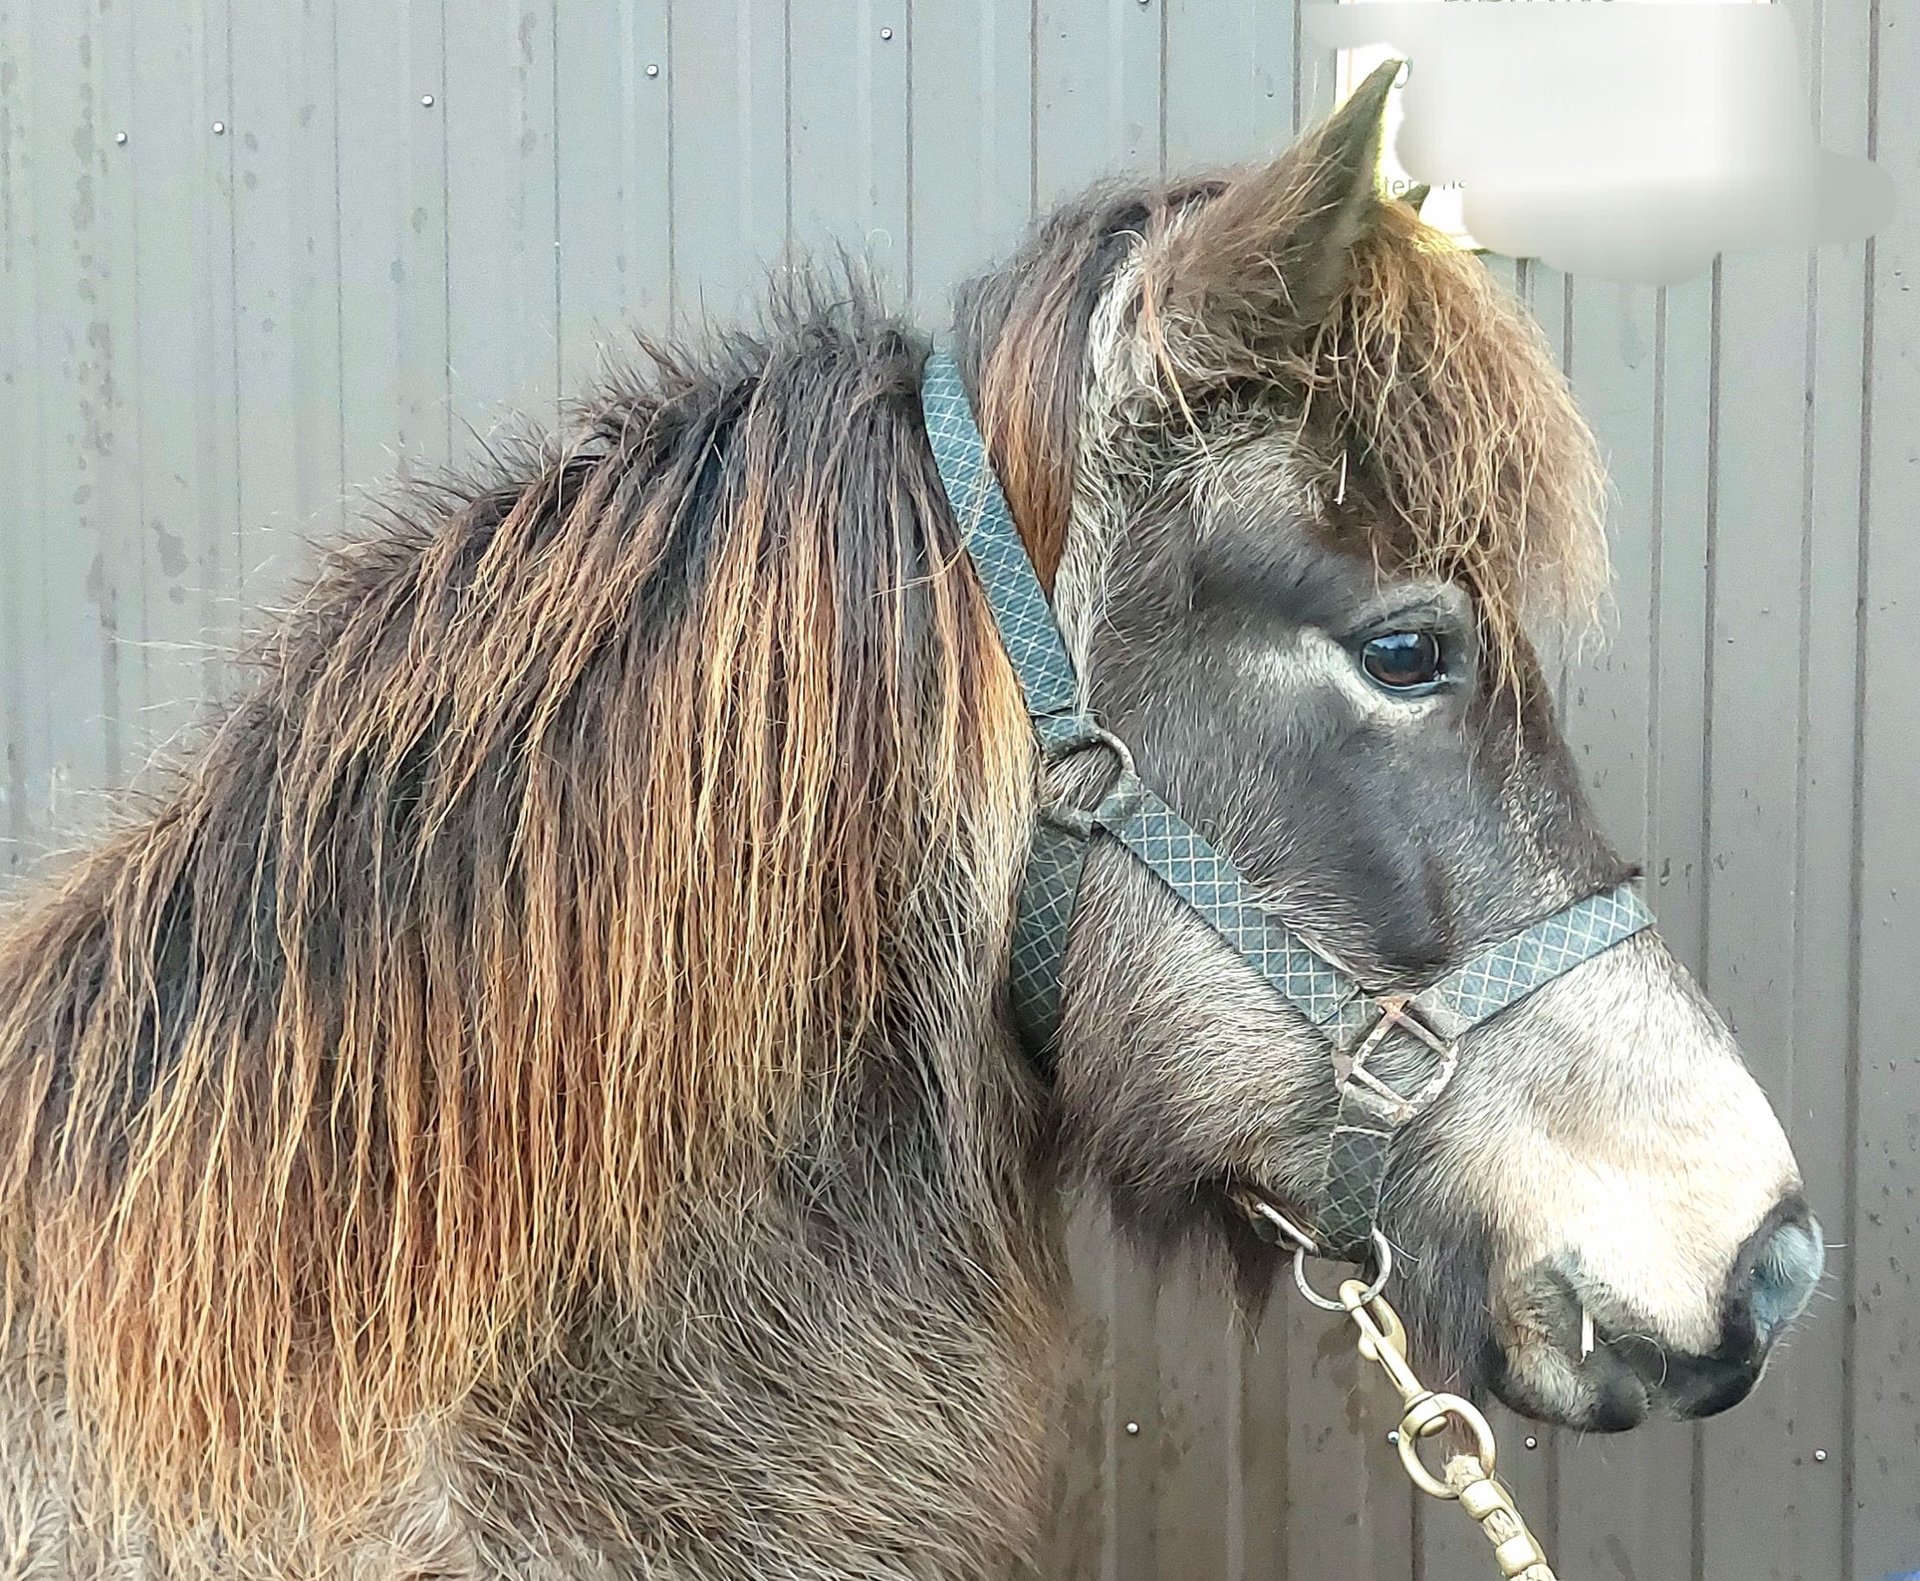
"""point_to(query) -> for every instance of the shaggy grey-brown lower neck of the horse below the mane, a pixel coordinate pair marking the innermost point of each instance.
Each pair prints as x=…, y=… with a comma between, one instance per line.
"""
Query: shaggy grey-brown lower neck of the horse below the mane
x=871, y=1350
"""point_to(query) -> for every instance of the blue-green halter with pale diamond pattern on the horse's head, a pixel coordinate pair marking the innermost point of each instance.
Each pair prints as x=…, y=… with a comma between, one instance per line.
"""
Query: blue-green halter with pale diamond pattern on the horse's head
x=1389, y=1056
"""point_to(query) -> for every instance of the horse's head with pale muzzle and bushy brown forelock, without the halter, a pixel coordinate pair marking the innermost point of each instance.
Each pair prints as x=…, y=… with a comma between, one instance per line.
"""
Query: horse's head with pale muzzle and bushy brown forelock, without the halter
x=1310, y=497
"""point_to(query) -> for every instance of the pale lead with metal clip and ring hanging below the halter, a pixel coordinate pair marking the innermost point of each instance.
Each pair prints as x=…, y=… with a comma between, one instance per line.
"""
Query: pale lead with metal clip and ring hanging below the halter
x=1470, y=1476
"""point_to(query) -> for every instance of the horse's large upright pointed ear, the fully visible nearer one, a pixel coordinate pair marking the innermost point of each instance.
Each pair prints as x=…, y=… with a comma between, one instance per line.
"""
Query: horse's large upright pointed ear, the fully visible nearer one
x=1264, y=262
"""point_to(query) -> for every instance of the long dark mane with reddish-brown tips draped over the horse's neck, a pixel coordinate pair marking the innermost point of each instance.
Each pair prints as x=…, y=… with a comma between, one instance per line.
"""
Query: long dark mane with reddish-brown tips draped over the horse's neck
x=550, y=881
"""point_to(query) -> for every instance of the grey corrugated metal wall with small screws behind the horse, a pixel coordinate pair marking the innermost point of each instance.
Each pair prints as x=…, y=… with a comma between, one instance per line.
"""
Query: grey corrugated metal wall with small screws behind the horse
x=212, y=337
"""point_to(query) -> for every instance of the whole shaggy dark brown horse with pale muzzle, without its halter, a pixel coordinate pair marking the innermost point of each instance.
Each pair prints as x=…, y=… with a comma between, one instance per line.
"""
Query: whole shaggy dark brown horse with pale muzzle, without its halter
x=535, y=1094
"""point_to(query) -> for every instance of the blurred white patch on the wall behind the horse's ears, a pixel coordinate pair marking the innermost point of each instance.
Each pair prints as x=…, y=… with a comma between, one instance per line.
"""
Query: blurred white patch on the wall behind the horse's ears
x=1625, y=141
